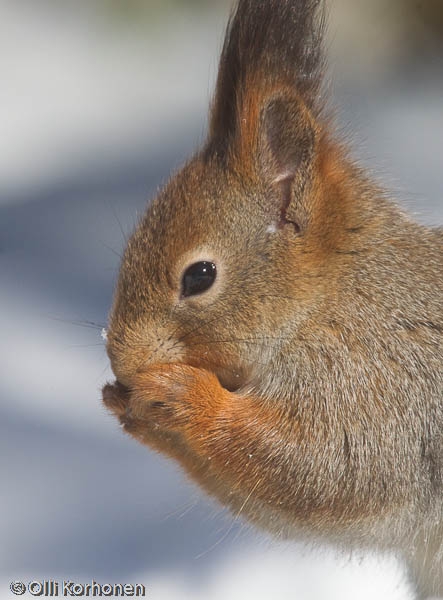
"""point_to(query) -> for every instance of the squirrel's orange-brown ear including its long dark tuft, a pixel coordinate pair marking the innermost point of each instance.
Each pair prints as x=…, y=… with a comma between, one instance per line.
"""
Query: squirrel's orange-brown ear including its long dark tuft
x=267, y=98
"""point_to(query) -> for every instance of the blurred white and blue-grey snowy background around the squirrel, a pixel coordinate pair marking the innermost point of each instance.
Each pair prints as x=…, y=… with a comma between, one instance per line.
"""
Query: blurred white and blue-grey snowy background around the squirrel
x=99, y=101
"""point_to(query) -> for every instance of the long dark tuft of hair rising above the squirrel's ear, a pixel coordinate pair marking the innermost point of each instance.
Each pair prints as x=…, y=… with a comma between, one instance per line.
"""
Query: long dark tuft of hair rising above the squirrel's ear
x=270, y=45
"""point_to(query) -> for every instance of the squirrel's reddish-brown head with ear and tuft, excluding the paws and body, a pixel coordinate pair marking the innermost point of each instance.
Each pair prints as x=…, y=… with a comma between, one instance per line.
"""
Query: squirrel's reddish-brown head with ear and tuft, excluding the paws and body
x=240, y=235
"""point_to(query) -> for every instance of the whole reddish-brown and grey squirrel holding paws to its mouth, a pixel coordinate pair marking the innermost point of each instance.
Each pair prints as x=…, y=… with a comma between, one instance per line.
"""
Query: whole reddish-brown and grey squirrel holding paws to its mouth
x=277, y=325
